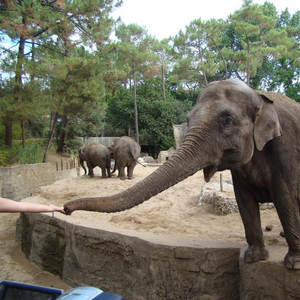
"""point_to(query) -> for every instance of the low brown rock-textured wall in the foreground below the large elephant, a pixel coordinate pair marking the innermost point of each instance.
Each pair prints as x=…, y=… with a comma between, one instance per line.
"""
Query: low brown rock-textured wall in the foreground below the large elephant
x=152, y=268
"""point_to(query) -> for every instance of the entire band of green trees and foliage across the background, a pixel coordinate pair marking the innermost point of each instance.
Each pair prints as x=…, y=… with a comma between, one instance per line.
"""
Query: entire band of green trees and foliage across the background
x=69, y=67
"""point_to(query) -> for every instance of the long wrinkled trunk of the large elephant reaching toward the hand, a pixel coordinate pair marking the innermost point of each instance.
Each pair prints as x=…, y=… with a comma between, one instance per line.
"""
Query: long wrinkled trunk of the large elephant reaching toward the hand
x=184, y=163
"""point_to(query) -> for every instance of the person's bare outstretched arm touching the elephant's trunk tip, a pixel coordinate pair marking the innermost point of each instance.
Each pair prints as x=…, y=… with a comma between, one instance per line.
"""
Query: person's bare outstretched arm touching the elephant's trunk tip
x=7, y=205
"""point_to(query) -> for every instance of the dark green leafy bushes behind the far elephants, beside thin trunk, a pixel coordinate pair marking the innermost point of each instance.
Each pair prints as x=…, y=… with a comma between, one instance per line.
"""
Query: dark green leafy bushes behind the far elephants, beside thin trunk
x=156, y=114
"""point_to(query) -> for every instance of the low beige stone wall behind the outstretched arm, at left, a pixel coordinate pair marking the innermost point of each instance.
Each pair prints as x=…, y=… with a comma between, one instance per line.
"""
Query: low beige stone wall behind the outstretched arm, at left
x=18, y=182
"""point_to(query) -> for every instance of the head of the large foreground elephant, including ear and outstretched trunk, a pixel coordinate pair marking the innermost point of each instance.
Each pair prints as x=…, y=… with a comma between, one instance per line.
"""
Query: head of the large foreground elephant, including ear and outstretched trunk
x=228, y=121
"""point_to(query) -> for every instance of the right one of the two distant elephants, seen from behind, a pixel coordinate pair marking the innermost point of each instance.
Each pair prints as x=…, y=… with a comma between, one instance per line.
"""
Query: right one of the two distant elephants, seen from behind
x=126, y=153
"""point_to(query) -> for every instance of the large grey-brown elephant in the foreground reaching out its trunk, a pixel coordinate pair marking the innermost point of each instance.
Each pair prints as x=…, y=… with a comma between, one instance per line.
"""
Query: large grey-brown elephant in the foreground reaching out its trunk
x=256, y=135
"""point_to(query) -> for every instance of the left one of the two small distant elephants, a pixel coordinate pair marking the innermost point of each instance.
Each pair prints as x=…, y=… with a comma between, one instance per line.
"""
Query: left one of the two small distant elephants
x=95, y=155
